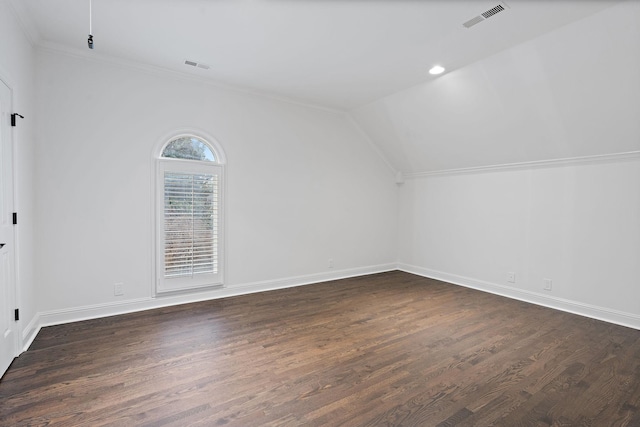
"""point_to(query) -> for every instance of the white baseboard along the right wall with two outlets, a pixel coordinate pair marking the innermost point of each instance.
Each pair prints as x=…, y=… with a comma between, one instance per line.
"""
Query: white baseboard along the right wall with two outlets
x=600, y=313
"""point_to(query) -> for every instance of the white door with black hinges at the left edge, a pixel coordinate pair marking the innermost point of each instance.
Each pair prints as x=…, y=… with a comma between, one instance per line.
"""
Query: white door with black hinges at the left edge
x=8, y=325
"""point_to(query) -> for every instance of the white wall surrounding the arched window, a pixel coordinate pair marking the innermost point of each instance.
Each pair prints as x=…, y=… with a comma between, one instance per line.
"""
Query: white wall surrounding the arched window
x=303, y=186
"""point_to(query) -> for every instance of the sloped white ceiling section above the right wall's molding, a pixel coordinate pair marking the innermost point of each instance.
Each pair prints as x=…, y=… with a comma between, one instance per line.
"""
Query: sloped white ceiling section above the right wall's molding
x=571, y=93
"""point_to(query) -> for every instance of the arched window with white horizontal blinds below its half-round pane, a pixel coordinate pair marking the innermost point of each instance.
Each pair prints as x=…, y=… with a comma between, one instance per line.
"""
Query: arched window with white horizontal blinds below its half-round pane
x=189, y=215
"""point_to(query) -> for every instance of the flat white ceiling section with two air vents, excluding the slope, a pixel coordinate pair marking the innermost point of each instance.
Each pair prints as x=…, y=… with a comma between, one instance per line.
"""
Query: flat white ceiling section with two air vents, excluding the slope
x=339, y=54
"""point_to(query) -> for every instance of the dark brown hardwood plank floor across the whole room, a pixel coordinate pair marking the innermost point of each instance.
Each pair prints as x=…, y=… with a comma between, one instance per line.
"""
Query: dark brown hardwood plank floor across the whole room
x=384, y=350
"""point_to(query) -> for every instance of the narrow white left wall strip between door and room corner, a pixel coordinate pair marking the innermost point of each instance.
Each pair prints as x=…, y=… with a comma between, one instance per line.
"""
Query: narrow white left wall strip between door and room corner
x=17, y=61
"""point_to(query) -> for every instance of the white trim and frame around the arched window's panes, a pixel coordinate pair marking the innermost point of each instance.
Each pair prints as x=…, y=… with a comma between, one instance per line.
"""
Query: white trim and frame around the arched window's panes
x=161, y=164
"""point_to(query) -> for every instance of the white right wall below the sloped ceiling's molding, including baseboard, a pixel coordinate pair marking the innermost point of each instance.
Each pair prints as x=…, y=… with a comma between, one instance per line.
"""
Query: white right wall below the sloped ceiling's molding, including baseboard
x=577, y=224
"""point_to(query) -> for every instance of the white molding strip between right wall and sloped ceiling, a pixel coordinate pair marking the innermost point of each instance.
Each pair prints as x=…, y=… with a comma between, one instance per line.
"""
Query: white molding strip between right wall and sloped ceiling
x=538, y=164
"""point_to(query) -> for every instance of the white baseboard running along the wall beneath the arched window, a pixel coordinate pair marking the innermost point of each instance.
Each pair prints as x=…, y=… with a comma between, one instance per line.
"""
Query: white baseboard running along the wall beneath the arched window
x=75, y=314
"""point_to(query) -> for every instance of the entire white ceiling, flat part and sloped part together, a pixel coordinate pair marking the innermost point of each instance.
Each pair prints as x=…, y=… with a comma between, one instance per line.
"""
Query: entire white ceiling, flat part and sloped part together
x=530, y=83
